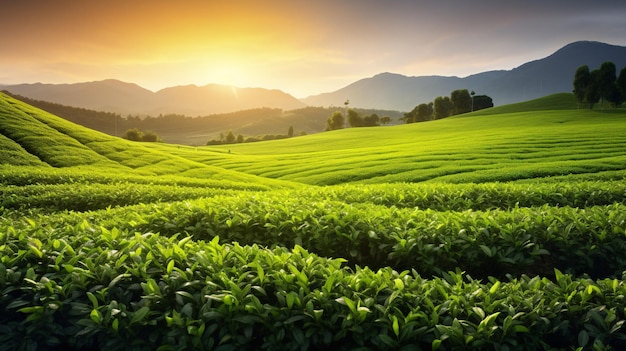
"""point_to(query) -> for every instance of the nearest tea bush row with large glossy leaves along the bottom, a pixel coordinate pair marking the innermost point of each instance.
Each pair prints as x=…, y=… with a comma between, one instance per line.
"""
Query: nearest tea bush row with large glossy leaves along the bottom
x=129, y=291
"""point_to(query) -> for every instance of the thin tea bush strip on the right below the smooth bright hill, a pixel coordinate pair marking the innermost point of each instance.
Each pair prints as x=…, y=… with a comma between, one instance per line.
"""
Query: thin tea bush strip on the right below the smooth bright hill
x=459, y=197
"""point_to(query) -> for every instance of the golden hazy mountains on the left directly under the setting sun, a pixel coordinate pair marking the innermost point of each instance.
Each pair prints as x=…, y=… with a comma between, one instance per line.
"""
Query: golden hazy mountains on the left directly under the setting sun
x=126, y=98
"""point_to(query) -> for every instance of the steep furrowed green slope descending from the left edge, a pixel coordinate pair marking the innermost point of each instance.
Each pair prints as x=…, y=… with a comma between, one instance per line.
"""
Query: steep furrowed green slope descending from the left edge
x=36, y=138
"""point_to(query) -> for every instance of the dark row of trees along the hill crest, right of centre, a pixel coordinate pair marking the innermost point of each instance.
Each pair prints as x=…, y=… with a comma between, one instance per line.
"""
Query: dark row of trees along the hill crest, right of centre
x=460, y=101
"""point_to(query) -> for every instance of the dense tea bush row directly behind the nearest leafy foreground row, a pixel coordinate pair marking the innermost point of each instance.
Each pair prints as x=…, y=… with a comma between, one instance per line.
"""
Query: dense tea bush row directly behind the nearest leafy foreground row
x=483, y=243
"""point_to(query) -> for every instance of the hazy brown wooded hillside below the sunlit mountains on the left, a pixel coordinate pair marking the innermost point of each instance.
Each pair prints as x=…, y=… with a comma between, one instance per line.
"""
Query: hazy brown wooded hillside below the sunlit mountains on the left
x=186, y=130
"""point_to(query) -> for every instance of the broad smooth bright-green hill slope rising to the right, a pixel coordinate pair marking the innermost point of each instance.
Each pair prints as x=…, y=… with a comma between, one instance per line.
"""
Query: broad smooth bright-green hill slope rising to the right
x=516, y=143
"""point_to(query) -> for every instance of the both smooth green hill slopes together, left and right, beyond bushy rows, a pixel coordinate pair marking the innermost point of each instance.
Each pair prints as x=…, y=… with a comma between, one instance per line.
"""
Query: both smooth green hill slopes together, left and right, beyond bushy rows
x=514, y=143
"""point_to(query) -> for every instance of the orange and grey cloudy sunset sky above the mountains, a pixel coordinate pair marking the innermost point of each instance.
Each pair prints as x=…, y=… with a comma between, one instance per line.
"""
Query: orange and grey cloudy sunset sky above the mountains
x=301, y=47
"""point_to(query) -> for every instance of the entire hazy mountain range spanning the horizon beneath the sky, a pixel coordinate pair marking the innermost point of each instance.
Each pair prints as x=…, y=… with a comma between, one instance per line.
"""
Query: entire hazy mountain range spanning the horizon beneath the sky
x=388, y=91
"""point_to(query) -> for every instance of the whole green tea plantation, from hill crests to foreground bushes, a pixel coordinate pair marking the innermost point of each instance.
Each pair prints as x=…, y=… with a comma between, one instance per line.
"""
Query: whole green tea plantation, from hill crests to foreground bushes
x=503, y=229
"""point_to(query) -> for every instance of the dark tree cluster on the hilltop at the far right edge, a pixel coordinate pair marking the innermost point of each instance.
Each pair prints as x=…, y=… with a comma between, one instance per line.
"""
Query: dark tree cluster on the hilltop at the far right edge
x=600, y=85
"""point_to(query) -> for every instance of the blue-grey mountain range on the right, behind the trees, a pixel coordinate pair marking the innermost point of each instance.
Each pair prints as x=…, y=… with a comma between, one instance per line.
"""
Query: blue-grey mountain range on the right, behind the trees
x=553, y=74
